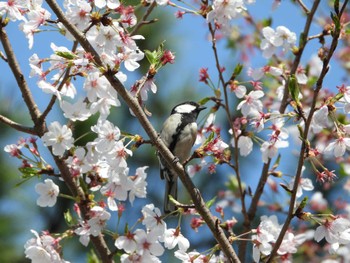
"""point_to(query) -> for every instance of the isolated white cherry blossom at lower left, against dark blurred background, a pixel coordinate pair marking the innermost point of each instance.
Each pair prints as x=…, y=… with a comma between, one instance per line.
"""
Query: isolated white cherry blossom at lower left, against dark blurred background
x=48, y=192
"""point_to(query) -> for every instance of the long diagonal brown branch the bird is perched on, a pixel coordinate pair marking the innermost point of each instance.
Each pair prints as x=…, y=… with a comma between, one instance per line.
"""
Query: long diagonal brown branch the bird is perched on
x=147, y=126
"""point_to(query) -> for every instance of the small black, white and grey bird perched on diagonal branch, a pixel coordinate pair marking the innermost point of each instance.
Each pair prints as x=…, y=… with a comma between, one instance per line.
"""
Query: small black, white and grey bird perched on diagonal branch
x=179, y=134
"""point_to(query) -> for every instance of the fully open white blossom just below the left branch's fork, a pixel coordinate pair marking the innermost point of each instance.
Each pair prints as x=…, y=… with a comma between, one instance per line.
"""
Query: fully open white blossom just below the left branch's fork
x=59, y=137
